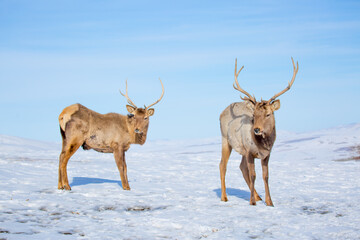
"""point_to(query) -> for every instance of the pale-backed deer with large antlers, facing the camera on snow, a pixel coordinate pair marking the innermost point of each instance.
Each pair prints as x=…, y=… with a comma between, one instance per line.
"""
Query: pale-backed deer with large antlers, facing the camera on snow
x=248, y=127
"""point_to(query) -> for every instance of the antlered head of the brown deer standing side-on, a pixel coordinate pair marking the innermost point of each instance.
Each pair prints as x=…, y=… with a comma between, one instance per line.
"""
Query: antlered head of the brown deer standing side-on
x=138, y=118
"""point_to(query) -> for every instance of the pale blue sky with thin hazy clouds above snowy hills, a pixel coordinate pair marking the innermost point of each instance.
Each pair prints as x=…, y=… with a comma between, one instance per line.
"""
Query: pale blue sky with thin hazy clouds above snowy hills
x=56, y=53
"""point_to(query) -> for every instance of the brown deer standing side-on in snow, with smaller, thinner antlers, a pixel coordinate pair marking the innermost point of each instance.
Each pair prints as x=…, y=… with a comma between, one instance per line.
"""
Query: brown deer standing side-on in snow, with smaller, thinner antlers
x=107, y=133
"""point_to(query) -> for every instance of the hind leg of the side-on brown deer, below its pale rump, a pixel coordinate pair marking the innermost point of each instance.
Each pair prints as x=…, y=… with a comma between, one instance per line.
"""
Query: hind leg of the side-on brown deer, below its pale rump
x=67, y=151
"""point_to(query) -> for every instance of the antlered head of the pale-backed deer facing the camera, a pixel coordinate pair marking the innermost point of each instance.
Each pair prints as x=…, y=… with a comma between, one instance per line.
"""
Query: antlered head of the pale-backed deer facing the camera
x=264, y=120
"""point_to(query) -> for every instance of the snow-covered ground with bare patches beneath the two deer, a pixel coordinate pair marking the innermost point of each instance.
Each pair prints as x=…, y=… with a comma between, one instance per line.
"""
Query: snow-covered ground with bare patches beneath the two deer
x=175, y=191
